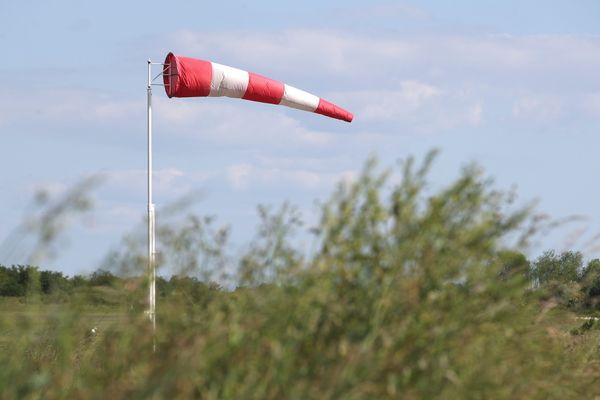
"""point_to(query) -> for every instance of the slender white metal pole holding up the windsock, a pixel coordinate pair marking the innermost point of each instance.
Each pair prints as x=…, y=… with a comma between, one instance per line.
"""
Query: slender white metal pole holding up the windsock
x=151, y=217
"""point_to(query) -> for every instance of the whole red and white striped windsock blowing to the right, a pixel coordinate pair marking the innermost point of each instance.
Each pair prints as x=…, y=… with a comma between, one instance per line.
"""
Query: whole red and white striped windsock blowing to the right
x=189, y=77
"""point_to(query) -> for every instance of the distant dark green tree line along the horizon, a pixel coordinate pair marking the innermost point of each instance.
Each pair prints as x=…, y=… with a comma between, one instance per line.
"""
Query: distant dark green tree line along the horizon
x=562, y=276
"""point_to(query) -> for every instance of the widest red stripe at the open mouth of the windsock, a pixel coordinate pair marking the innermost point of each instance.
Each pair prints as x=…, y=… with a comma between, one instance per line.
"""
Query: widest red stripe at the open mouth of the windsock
x=187, y=77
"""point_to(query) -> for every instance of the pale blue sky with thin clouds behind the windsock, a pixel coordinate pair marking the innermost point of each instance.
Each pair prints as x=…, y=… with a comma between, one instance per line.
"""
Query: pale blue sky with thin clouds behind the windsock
x=512, y=85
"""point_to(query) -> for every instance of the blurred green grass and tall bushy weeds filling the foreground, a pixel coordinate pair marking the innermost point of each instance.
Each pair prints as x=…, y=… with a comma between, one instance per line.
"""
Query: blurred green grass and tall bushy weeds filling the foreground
x=407, y=295
